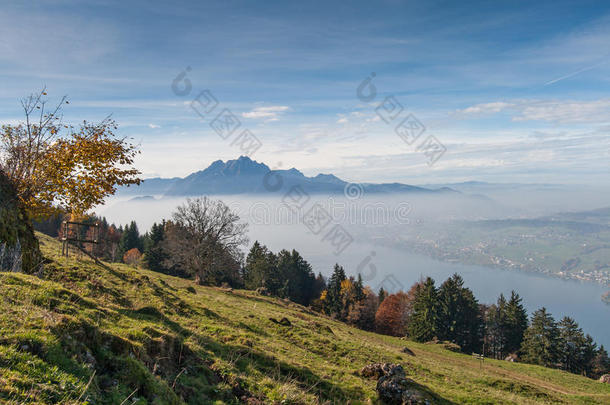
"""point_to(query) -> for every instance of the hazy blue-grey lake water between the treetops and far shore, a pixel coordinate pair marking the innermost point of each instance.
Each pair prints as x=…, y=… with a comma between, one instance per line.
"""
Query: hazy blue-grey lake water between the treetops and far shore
x=395, y=269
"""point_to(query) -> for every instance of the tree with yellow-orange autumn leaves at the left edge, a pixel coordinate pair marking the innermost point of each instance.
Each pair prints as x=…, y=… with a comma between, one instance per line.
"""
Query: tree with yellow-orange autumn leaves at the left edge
x=52, y=164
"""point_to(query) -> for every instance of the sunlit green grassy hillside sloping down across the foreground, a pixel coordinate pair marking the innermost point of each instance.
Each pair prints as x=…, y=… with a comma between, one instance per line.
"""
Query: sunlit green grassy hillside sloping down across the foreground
x=164, y=340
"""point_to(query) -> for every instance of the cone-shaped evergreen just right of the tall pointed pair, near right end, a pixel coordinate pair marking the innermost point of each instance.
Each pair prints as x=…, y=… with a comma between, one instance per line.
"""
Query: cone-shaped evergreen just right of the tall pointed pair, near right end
x=541, y=341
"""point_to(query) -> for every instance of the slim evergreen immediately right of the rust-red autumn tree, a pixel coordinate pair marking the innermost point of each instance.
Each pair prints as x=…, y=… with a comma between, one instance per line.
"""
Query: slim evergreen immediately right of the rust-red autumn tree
x=423, y=323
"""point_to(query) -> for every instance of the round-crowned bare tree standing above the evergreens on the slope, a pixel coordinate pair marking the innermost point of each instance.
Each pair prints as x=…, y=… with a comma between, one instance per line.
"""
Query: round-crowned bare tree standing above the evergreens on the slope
x=204, y=239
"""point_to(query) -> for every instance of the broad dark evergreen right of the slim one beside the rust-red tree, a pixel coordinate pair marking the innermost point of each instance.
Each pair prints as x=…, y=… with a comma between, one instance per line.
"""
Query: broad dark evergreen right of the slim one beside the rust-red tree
x=459, y=319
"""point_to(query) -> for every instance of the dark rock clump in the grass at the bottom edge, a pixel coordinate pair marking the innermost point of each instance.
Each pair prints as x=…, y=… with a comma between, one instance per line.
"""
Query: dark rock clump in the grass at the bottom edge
x=393, y=387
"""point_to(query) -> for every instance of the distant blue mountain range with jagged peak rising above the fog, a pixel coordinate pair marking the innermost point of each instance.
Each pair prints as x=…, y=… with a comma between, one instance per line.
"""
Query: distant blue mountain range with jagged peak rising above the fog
x=246, y=176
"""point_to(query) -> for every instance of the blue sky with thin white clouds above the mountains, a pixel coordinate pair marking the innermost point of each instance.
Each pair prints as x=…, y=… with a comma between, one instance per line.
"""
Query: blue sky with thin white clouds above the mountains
x=515, y=91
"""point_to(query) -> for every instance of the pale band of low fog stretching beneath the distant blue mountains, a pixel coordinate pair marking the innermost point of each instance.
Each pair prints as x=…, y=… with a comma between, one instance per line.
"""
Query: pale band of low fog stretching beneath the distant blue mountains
x=378, y=209
